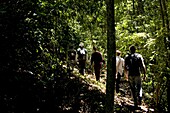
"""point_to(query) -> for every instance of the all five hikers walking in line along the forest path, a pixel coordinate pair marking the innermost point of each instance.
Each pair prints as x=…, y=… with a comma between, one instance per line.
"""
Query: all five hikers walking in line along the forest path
x=131, y=67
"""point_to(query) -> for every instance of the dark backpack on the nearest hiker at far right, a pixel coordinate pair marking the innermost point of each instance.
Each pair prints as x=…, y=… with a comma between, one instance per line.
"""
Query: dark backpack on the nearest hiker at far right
x=133, y=63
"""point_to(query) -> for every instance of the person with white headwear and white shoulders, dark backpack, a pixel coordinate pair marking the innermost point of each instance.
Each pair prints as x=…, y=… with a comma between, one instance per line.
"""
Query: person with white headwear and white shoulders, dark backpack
x=82, y=58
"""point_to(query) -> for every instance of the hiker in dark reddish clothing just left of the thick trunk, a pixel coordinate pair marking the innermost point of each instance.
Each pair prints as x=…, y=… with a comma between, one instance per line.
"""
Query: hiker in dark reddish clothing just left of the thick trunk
x=97, y=59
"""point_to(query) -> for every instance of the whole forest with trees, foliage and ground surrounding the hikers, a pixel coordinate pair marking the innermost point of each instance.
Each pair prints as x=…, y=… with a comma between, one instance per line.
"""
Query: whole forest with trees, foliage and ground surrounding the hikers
x=36, y=36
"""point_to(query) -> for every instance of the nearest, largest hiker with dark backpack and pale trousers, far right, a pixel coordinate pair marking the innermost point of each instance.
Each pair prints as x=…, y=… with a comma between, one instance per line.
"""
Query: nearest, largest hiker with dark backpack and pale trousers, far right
x=134, y=65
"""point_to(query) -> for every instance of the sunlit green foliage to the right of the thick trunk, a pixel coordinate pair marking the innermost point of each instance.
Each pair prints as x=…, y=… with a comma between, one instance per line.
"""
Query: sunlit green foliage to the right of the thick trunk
x=146, y=31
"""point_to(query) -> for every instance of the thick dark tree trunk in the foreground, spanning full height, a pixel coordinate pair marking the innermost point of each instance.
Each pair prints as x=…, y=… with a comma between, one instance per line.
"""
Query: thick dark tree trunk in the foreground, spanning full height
x=111, y=57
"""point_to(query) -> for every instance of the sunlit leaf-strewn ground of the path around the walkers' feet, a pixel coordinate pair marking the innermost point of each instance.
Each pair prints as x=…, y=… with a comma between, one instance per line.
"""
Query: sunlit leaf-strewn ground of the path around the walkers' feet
x=123, y=100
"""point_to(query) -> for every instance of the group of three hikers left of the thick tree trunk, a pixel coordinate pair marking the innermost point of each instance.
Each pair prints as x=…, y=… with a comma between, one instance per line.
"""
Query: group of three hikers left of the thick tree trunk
x=80, y=57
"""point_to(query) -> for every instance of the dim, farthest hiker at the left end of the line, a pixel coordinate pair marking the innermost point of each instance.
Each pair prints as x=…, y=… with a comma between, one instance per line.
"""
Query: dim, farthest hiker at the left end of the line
x=72, y=57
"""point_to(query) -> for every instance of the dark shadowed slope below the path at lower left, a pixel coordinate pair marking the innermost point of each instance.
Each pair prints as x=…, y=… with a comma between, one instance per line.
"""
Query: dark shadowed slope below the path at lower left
x=61, y=93
